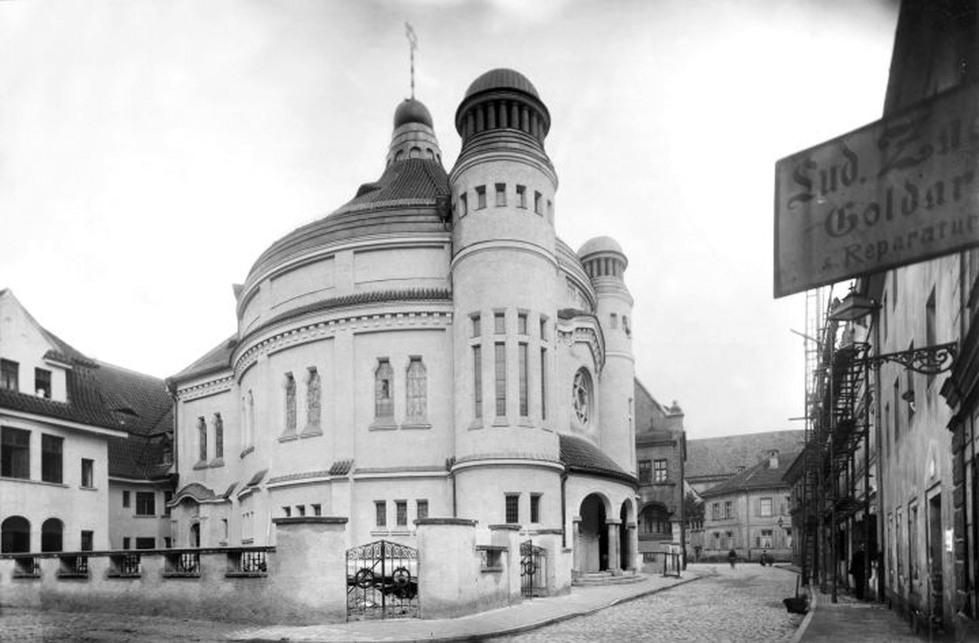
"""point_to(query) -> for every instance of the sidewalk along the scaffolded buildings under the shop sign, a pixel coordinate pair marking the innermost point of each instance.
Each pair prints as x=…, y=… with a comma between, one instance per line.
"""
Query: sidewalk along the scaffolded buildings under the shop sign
x=852, y=620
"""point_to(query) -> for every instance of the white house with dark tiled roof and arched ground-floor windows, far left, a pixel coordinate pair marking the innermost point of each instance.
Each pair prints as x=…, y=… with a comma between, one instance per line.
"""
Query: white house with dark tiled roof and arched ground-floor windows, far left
x=75, y=434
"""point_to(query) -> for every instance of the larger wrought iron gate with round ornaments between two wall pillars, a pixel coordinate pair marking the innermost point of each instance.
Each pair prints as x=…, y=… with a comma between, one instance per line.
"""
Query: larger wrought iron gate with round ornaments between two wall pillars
x=382, y=581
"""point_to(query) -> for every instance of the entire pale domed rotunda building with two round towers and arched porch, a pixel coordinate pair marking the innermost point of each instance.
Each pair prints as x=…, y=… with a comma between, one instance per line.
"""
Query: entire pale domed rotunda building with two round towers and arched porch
x=429, y=349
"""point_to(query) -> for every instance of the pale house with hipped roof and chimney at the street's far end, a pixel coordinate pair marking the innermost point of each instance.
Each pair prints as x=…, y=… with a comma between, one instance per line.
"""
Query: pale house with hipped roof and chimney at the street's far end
x=749, y=512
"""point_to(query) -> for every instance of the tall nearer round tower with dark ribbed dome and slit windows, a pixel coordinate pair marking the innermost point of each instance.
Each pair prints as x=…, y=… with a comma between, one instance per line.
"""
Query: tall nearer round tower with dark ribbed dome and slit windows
x=504, y=283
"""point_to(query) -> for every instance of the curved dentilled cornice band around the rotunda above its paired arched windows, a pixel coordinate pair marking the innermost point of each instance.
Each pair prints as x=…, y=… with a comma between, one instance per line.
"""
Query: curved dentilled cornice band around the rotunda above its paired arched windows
x=323, y=329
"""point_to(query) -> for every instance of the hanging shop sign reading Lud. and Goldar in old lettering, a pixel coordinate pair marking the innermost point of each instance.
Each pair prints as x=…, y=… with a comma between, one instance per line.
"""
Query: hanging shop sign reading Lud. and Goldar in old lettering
x=901, y=190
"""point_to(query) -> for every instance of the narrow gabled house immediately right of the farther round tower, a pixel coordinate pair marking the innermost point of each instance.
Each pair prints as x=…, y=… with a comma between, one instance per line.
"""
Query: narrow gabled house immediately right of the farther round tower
x=660, y=455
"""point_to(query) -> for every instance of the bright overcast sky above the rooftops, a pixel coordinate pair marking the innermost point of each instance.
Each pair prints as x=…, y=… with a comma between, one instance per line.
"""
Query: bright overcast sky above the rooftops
x=151, y=150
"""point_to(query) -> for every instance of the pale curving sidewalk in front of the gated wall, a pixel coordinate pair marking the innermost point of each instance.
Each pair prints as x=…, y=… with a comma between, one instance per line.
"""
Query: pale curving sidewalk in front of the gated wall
x=504, y=621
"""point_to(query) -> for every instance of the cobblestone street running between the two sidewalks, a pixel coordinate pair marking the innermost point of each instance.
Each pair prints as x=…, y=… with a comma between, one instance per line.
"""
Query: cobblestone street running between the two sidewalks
x=744, y=604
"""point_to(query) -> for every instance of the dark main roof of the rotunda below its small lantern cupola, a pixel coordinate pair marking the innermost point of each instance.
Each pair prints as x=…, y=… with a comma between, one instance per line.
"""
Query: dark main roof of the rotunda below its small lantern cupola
x=403, y=200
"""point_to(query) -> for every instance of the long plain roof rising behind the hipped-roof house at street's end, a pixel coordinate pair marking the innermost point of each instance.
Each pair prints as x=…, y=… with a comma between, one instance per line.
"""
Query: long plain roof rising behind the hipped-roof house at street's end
x=714, y=457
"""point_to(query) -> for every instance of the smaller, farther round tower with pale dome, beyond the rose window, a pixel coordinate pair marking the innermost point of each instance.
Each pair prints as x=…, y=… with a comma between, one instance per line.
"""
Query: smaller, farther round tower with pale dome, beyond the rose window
x=605, y=264
